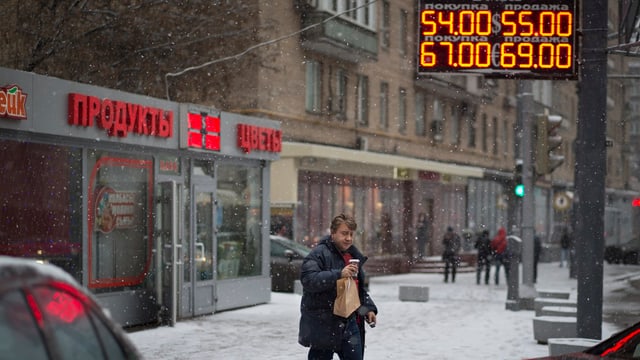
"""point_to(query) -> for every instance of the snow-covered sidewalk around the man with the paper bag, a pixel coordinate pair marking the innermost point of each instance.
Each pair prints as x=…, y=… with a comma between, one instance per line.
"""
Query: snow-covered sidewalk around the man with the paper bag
x=461, y=320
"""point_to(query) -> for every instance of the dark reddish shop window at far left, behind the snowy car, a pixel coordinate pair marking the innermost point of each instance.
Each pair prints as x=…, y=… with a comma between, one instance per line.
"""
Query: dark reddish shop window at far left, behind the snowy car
x=40, y=203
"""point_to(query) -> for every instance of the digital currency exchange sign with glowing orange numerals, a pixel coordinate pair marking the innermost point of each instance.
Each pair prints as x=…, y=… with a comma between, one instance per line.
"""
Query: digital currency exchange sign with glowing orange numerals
x=509, y=38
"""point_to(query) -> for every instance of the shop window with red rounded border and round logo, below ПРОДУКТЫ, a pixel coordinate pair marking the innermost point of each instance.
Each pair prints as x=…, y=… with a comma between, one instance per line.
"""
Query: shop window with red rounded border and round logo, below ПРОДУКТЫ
x=120, y=226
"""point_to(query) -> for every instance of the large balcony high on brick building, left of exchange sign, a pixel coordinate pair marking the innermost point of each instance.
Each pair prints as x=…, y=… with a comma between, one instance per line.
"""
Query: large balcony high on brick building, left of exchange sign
x=339, y=38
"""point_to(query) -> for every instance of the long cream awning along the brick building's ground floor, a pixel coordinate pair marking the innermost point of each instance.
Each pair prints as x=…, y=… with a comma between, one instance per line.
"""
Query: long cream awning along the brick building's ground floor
x=298, y=150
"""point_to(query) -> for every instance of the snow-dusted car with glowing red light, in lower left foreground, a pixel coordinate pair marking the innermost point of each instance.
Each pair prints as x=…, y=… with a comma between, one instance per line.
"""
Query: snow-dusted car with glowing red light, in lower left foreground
x=46, y=314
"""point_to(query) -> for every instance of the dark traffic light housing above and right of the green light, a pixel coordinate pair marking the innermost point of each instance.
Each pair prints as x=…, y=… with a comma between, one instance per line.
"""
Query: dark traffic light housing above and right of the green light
x=546, y=141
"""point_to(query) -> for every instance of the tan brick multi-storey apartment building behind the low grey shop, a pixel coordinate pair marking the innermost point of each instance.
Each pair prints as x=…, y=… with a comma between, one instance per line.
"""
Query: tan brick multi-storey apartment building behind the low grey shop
x=362, y=131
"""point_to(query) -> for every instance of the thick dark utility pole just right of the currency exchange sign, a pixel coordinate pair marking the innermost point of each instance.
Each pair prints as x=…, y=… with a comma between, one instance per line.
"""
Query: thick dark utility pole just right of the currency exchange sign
x=590, y=169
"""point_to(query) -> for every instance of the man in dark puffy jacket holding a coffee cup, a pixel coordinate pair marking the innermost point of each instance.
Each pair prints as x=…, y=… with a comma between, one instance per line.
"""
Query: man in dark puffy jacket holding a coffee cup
x=320, y=330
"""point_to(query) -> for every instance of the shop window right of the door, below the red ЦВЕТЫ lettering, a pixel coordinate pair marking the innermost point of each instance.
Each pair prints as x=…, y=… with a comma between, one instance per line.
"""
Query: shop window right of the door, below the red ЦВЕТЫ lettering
x=239, y=221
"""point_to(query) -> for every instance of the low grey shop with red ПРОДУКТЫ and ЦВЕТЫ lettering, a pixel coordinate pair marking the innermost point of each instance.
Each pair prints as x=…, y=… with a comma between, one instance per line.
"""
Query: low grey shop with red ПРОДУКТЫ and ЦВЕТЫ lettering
x=155, y=206
